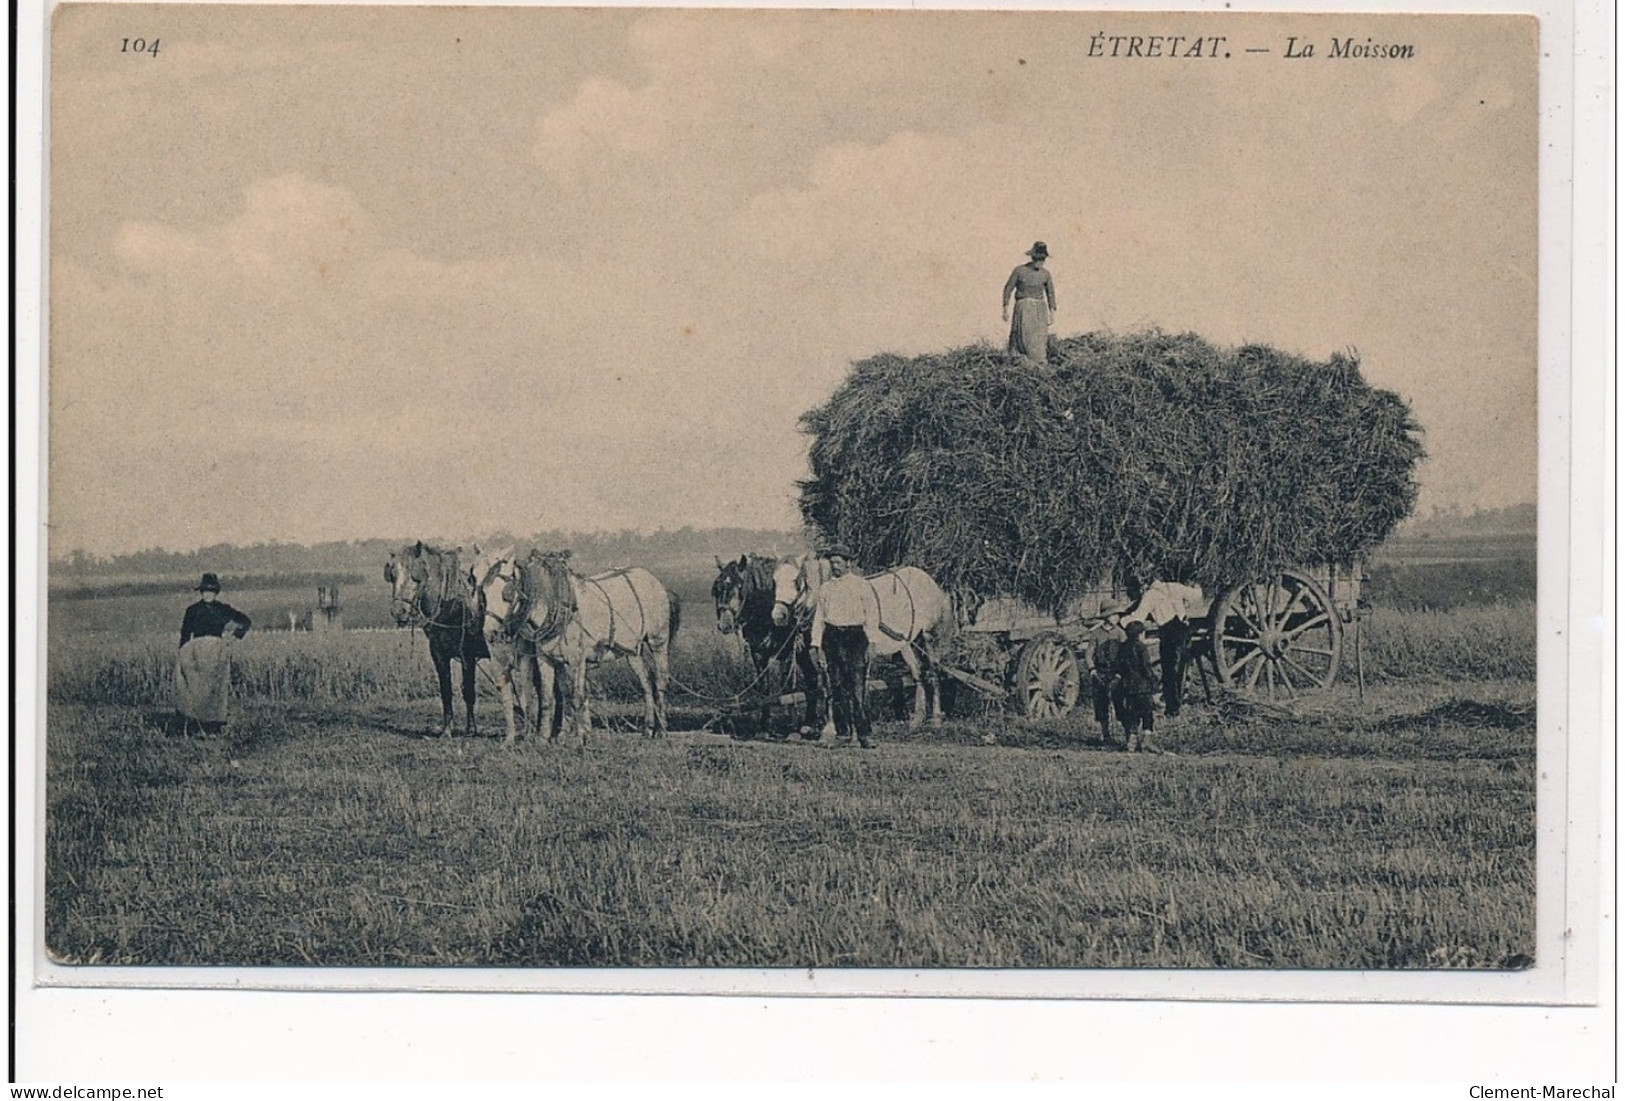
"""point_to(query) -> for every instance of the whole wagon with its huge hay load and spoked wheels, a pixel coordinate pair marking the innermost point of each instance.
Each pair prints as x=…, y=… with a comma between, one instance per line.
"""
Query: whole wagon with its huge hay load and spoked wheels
x=1038, y=494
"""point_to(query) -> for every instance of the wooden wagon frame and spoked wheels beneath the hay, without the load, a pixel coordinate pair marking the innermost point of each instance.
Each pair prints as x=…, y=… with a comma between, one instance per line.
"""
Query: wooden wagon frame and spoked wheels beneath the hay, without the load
x=1278, y=637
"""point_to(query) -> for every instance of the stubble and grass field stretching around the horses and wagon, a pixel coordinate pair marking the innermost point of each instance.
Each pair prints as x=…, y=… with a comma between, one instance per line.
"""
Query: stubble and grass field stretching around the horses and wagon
x=329, y=827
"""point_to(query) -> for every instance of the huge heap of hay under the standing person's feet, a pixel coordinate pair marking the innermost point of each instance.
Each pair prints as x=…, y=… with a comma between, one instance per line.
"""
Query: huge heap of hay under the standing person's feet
x=1127, y=457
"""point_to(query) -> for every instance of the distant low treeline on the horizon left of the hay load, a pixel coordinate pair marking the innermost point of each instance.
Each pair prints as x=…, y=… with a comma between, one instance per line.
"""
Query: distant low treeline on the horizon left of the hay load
x=366, y=556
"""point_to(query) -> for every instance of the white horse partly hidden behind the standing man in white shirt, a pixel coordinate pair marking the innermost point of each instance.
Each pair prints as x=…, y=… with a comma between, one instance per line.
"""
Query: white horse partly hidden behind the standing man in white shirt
x=917, y=621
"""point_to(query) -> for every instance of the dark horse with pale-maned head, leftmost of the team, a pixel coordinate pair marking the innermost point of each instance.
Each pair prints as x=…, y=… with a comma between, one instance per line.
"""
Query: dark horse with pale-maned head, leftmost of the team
x=430, y=590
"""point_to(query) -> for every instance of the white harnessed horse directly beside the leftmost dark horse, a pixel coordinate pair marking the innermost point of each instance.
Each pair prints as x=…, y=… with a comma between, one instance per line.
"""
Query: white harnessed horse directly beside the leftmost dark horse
x=576, y=621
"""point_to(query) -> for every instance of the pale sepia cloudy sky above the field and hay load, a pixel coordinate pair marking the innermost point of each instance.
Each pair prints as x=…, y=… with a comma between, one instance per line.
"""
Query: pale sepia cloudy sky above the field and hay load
x=337, y=274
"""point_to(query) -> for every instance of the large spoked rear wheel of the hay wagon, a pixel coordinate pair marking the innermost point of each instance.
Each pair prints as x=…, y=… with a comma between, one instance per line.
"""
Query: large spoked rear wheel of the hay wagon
x=1278, y=639
